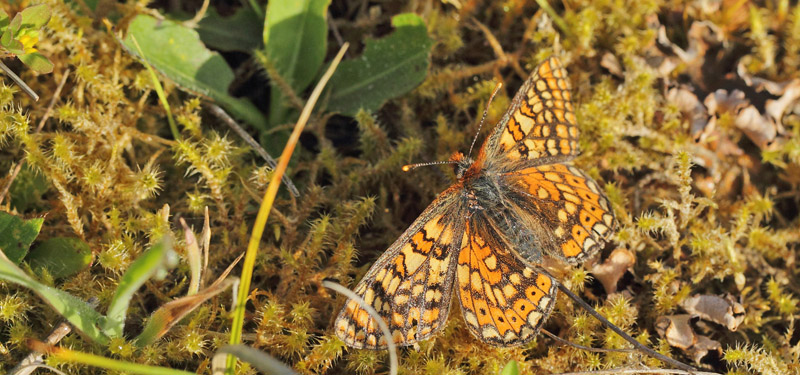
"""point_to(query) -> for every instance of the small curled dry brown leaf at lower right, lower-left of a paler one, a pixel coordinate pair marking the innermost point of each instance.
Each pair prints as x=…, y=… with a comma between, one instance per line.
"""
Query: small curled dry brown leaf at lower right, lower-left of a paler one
x=678, y=332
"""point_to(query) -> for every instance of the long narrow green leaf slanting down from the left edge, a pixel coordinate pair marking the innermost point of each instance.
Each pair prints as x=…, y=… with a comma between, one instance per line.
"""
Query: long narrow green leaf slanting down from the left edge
x=80, y=314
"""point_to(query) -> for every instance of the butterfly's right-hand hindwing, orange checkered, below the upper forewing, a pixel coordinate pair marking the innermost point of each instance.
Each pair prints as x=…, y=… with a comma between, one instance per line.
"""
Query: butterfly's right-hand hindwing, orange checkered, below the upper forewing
x=570, y=203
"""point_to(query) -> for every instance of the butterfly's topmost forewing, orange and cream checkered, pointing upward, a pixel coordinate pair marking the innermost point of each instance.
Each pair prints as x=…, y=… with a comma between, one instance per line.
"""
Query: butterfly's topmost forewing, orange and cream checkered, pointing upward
x=539, y=124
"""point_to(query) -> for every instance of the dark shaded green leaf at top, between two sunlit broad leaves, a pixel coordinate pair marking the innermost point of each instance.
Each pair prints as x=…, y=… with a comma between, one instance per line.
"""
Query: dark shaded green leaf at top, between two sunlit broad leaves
x=239, y=32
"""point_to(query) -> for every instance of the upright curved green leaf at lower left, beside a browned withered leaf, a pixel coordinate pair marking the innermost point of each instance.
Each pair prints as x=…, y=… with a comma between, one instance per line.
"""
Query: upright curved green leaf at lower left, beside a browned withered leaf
x=154, y=261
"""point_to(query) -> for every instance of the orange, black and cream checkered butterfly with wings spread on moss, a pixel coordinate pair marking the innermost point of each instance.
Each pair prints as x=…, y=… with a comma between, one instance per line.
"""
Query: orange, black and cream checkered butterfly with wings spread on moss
x=486, y=235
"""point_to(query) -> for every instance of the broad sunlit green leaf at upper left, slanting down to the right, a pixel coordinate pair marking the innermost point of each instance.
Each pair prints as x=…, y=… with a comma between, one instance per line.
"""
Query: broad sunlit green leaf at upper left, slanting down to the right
x=177, y=52
